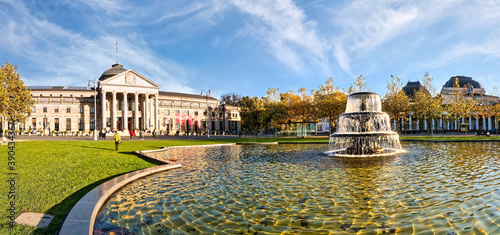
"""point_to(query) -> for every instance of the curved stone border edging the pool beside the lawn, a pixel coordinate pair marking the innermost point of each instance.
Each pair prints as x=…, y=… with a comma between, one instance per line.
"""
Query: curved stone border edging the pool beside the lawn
x=81, y=218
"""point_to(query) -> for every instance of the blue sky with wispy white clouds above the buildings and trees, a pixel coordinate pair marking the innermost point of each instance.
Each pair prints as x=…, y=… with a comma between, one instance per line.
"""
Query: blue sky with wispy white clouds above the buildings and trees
x=246, y=47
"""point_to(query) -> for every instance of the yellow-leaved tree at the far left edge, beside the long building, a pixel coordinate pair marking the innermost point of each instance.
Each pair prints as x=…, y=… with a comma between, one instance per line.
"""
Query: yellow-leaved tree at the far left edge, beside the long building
x=15, y=98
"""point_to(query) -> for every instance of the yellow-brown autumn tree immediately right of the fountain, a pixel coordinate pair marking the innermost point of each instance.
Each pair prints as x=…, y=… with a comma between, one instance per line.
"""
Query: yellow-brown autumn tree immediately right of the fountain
x=395, y=101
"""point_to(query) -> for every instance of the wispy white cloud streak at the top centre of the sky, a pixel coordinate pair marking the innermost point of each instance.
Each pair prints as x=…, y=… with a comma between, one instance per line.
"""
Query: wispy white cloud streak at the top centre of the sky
x=287, y=34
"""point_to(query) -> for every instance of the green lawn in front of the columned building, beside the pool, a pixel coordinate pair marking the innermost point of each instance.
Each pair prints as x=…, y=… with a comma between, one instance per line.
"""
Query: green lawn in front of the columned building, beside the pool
x=54, y=175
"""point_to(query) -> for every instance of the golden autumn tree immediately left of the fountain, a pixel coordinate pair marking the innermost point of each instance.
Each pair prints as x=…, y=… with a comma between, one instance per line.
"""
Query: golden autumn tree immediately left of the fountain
x=329, y=103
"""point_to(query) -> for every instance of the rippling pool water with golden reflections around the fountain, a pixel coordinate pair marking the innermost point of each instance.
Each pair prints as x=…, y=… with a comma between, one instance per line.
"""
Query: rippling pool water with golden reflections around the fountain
x=435, y=188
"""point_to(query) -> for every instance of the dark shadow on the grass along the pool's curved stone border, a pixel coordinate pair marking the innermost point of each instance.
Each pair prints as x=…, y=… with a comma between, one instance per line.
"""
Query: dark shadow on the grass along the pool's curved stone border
x=61, y=210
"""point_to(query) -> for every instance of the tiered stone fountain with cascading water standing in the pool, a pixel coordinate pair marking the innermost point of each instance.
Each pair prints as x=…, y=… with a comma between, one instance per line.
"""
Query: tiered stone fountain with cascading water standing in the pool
x=364, y=130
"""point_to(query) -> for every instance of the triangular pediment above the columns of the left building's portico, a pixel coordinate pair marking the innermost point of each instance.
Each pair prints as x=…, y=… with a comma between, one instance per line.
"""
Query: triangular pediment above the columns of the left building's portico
x=130, y=78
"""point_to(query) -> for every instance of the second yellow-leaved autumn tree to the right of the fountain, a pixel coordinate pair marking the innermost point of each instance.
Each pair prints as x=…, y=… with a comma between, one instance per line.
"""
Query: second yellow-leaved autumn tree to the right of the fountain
x=425, y=104
